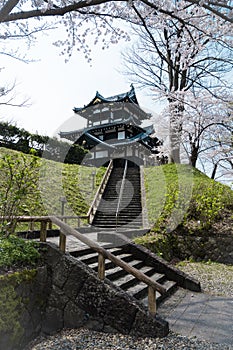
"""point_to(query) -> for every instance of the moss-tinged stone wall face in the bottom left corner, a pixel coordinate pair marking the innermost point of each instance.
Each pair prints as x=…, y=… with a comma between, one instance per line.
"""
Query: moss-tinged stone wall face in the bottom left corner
x=22, y=304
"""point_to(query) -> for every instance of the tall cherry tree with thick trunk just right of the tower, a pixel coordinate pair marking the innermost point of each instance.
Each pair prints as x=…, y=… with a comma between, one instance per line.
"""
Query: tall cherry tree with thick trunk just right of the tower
x=176, y=59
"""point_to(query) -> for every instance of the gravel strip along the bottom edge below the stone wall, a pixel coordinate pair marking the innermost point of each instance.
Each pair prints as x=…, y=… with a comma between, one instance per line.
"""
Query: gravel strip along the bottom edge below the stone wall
x=84, y=339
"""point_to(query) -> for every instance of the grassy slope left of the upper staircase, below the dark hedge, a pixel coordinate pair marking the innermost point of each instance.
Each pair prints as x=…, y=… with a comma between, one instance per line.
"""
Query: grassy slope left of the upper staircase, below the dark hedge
x=54, y=180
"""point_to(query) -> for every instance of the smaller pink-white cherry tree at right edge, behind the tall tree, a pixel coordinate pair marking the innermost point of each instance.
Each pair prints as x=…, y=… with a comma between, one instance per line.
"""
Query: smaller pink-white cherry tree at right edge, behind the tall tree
x=207, y=130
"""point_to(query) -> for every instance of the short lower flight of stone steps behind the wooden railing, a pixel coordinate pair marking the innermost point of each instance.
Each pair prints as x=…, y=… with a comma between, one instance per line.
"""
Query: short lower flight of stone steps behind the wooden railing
x=144, y=261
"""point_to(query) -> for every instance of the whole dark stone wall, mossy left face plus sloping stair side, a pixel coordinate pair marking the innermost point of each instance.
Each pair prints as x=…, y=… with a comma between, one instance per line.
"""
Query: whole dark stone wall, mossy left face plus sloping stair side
x=65, y=293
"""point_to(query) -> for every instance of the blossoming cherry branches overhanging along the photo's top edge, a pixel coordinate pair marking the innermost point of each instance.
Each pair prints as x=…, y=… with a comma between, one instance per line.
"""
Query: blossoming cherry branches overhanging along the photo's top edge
x=96, y=17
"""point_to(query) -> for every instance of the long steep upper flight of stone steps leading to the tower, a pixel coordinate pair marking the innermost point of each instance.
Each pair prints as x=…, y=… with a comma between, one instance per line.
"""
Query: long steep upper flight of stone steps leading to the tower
x=130, y=209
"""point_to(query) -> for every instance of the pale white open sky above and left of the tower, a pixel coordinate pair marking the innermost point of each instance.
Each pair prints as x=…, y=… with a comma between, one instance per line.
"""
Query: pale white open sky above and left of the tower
x=55, y=87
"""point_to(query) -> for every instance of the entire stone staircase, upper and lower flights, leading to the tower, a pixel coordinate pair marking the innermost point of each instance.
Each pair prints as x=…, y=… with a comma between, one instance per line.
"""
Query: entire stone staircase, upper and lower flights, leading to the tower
x=118, y=231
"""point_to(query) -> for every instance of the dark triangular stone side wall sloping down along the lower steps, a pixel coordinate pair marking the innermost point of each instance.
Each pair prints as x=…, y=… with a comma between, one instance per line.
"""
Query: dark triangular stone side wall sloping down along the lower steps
x=78, y=298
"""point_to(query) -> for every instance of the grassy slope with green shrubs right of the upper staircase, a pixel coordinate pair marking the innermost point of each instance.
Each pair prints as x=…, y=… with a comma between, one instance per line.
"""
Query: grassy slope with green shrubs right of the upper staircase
x=178, y=195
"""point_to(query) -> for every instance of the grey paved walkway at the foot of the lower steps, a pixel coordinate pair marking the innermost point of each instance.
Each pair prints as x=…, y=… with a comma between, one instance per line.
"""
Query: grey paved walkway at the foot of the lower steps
x=207, y=317
